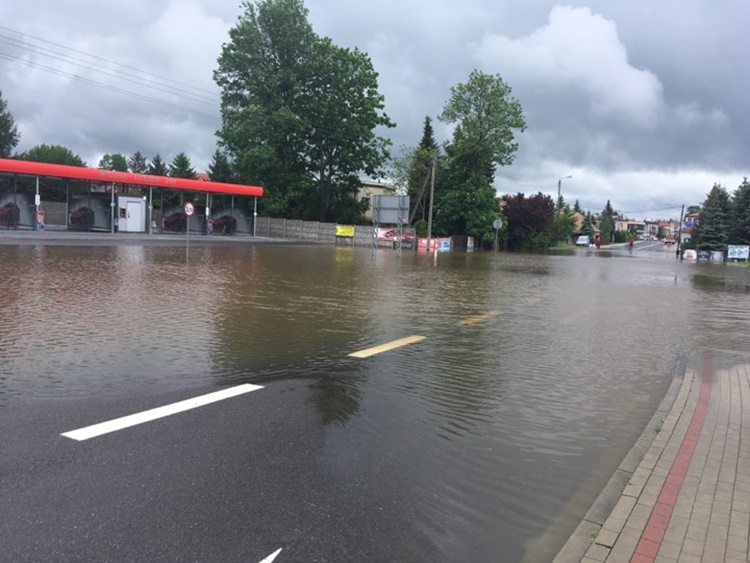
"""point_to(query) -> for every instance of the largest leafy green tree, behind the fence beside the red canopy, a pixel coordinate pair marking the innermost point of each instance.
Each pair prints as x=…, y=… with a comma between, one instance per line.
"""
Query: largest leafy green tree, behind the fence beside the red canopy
x=299, y=113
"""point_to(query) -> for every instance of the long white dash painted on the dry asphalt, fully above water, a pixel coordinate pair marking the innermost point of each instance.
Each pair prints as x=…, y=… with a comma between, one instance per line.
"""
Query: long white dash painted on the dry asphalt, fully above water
x=146, y=416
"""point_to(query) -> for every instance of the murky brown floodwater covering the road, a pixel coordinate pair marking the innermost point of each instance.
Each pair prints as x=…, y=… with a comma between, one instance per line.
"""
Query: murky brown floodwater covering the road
x=496, y=432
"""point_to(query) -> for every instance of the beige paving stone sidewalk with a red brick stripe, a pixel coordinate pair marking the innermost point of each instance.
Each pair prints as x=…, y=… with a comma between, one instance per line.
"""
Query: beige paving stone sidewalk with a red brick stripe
x=689, y=498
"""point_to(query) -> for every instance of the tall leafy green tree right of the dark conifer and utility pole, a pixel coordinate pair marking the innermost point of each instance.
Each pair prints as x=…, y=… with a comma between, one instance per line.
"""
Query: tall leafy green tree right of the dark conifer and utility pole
x=485, y=118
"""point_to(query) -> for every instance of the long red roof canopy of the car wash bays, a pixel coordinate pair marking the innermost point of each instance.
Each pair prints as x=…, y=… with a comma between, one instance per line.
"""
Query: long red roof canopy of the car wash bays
x=31, y=168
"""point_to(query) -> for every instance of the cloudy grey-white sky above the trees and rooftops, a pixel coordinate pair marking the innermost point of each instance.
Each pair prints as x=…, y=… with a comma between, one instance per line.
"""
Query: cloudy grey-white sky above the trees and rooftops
x=643, y=103
